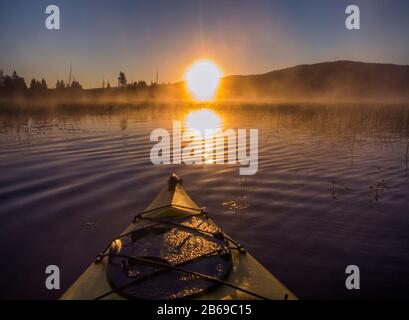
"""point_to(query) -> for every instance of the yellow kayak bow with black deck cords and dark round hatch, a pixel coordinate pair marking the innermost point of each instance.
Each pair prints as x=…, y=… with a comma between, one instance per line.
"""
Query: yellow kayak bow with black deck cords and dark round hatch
x=173, y=250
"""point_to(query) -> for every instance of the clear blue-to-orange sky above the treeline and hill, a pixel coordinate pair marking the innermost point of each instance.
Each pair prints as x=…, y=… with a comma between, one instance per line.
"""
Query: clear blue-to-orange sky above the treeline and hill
x=102, y=37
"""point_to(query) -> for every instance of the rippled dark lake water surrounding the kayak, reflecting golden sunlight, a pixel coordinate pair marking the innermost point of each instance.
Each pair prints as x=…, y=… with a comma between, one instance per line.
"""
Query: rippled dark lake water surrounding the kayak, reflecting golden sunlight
x=332, y=190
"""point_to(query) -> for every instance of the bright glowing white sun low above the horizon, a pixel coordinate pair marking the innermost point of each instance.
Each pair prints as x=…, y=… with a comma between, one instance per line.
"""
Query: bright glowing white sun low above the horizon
x=202, y=80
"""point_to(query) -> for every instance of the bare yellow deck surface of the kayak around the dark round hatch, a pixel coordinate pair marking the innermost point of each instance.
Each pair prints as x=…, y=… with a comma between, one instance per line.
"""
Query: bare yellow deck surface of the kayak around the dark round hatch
x=246, y=273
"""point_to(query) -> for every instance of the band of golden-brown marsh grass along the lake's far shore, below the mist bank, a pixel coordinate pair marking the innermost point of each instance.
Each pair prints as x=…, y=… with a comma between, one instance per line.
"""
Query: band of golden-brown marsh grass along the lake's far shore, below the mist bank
x=338, y=121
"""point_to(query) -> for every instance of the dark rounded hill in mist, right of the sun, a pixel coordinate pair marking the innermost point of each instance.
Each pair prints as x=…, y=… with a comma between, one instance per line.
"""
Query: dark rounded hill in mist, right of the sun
x=338, y=81
